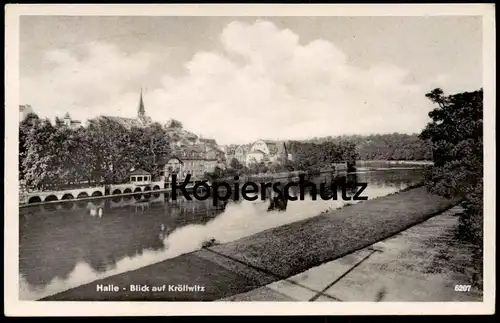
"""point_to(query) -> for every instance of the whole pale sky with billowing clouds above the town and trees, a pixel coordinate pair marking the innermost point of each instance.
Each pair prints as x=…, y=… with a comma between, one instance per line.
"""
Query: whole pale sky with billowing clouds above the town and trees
x=239, y=79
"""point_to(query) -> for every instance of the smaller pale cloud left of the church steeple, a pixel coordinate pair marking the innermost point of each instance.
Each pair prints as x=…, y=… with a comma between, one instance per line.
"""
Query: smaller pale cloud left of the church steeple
x=83, y=85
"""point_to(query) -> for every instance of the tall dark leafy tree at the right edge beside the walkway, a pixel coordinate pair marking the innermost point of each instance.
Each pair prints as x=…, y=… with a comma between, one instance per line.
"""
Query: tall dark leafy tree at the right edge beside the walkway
x=456, y=132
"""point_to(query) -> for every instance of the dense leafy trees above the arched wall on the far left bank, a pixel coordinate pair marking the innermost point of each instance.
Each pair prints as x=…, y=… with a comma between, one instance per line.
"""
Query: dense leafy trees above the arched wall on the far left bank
x=103, y=152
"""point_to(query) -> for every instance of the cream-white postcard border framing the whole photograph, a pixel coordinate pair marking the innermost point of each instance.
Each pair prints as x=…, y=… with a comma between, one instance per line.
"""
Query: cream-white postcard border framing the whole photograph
x=15, y=307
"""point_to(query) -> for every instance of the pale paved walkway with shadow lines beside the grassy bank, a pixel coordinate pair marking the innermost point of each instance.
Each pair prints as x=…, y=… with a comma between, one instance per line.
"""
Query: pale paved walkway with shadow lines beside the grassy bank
x=423, y=263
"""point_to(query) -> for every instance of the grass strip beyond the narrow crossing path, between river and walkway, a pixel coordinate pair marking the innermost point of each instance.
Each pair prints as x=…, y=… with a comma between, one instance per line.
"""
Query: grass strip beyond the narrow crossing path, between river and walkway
x=293, y=248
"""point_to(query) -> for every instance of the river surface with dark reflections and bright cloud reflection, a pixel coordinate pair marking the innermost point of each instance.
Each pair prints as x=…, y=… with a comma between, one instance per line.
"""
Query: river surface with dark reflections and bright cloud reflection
x=65, y=245
